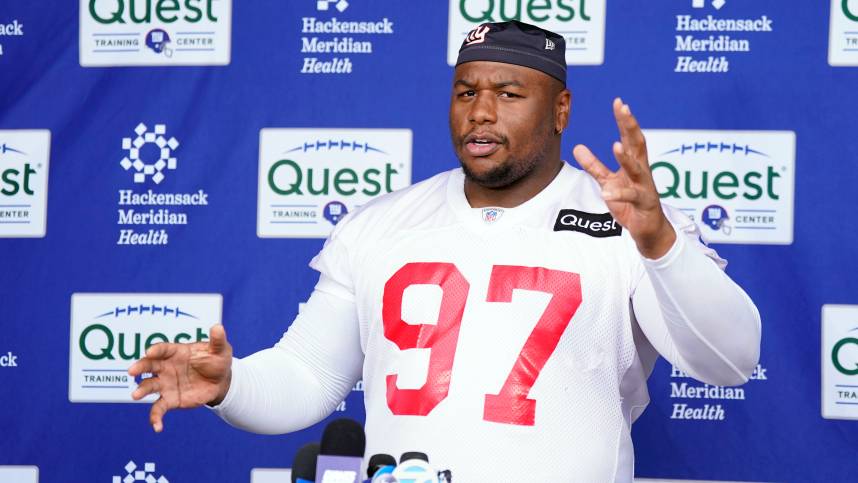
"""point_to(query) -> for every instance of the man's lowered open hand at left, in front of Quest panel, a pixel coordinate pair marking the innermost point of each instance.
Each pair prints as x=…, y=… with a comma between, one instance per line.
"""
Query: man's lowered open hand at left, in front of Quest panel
x=185, y=375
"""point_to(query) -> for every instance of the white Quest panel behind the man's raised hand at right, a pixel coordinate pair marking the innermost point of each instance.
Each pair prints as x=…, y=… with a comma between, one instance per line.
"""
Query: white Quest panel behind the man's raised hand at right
x=737, y=185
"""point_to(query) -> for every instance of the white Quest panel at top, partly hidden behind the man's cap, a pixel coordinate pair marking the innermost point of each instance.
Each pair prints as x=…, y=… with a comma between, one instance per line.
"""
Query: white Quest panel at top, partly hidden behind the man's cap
x=580, y=22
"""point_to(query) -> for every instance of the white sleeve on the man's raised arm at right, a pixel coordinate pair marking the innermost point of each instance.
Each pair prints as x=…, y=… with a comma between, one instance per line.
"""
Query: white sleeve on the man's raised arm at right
x=693, y=313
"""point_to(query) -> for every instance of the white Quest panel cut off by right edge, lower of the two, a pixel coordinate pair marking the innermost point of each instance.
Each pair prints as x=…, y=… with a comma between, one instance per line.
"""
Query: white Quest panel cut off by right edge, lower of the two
x=840, y=361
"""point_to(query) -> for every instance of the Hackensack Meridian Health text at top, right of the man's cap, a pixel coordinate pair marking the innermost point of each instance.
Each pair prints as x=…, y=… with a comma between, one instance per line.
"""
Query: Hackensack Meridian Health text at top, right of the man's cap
x=709, y=36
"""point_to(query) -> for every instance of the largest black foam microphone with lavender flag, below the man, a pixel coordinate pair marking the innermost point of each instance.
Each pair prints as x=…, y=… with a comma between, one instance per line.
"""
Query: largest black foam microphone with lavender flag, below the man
x=341, y=452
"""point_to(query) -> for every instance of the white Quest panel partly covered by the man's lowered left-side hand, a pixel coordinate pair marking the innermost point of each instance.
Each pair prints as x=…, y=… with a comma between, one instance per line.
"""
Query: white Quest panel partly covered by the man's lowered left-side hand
x=109, y=331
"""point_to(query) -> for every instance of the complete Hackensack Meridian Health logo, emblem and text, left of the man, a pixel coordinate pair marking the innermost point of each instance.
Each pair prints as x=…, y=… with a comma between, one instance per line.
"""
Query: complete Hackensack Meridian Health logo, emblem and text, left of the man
x=145, y=213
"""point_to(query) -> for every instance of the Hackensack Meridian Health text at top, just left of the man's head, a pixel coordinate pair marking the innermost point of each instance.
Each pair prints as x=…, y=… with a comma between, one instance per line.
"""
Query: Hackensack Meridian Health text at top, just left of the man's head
x=332, y=45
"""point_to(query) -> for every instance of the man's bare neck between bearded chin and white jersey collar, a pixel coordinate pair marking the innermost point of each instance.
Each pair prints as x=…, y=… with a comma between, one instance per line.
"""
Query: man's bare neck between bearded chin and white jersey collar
x=515, y=194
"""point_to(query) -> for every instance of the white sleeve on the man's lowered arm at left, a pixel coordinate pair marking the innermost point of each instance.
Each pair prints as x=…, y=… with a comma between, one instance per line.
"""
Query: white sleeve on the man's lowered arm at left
x=303, y=378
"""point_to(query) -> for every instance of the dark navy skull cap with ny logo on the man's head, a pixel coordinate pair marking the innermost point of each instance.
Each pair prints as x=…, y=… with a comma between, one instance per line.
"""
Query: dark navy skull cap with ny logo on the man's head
x=516, y=43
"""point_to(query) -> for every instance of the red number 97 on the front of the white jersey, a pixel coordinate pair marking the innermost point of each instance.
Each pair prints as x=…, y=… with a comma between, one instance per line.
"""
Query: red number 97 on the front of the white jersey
x=511, y=405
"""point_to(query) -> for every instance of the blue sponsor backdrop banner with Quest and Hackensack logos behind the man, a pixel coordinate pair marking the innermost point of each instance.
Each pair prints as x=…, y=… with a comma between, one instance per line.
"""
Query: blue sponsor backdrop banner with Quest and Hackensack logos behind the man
x=166, y=165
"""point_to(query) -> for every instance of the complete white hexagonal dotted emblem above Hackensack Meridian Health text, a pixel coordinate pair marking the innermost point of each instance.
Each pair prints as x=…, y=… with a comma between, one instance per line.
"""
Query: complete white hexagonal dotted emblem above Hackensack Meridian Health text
x=164, y=147
